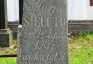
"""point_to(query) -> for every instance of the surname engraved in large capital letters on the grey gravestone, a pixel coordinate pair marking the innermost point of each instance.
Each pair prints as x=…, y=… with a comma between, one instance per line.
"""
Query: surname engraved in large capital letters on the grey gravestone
x=44, y=22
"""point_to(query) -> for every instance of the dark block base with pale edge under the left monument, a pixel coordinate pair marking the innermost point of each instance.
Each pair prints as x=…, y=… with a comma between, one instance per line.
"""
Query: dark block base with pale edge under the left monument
x=5, y=37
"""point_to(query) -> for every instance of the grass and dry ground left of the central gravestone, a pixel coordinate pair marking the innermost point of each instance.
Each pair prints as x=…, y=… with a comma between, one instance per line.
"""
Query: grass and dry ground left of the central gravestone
x=11, y=50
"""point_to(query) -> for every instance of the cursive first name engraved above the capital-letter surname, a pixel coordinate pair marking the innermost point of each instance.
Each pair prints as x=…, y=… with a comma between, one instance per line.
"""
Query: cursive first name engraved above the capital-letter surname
x=38, y=6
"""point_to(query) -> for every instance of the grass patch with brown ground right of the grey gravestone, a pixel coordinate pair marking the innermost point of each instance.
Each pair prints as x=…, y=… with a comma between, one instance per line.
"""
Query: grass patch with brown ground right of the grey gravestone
x=81, y=49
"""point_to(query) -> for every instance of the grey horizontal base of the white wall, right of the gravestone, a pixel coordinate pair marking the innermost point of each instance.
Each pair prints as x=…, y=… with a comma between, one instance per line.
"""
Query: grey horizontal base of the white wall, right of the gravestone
x=80, y=25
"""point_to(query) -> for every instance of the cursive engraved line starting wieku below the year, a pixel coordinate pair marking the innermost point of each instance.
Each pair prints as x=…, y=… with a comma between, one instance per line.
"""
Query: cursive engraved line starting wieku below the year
x=49, y=56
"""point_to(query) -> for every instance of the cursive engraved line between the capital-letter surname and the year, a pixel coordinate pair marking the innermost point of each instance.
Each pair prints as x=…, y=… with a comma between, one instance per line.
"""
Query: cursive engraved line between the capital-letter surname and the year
x=49, y=35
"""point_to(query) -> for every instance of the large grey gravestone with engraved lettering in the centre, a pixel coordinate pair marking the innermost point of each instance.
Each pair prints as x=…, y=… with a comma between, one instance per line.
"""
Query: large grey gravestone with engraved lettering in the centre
x=43, y=38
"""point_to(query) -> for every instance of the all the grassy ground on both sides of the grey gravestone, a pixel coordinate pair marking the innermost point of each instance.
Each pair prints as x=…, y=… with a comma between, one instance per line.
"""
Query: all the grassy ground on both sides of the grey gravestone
x=80, y=50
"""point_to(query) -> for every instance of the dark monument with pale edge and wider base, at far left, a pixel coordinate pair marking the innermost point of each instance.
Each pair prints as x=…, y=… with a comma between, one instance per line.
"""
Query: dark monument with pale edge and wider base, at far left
x=5, y=32
